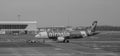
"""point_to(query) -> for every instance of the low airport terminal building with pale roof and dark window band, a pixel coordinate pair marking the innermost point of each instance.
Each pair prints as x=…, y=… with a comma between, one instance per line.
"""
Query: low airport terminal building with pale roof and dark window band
x=18, y=27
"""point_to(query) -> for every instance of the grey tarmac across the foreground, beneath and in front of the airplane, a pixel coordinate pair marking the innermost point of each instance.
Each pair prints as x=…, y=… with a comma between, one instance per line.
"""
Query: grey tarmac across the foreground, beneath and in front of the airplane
x=76, y=47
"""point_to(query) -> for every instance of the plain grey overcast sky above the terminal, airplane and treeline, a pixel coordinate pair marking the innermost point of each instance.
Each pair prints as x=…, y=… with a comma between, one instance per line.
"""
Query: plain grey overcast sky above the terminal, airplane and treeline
x=62, y=12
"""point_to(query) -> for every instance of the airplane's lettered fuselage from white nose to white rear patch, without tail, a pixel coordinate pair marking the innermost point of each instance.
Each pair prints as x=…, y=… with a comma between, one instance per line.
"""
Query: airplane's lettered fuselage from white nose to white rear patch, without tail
x=60, y=34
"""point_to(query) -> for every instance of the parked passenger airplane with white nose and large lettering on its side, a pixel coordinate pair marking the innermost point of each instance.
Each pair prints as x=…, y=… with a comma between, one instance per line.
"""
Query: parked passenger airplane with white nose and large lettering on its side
x=63, y=36
